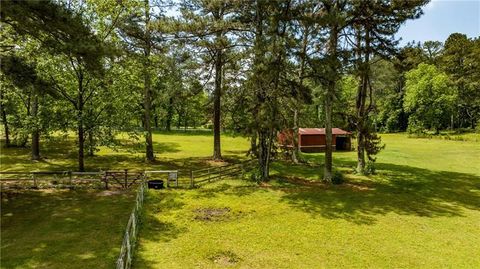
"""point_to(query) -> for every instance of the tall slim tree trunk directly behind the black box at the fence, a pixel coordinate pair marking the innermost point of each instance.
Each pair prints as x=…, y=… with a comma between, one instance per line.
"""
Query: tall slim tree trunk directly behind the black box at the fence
x=147, y=92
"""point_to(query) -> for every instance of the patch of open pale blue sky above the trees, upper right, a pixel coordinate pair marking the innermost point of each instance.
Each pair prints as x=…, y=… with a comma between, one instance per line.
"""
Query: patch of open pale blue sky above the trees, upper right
x=440, y=19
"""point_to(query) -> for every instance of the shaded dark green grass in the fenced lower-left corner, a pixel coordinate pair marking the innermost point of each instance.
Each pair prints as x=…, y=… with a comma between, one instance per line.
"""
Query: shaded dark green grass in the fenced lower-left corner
x=62, y=229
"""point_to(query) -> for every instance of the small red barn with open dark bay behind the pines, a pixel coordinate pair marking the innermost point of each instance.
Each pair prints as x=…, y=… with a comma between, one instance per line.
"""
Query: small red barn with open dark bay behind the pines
x=314, y=140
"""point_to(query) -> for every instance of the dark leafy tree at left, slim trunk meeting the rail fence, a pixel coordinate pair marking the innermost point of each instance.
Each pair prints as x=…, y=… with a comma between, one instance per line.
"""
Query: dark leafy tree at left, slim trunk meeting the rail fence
x=62, y=31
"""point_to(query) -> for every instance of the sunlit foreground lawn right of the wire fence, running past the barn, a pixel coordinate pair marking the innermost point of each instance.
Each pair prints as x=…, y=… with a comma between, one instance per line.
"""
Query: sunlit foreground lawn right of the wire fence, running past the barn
x=421, y=210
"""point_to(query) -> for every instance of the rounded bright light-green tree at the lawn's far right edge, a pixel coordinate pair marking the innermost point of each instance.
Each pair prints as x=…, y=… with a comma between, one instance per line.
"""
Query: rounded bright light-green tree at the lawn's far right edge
x=430, y=98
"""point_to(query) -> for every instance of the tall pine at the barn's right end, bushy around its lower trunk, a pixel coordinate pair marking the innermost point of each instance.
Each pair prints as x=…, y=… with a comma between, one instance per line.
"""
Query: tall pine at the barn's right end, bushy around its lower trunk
x=374, y=24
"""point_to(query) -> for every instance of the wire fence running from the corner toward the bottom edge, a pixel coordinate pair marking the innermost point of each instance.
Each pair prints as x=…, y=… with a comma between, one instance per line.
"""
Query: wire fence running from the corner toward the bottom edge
x=129, y=242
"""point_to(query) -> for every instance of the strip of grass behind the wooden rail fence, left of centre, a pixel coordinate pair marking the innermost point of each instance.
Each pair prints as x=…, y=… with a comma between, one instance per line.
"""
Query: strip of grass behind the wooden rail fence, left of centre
x=172, y=150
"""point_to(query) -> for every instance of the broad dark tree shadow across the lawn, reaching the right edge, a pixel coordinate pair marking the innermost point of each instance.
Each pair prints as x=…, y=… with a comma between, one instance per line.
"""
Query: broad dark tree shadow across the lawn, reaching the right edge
x=399, y=189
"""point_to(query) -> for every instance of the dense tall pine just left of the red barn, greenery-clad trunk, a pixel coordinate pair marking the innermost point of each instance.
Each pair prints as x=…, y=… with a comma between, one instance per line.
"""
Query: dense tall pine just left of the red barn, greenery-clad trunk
x=269, y=82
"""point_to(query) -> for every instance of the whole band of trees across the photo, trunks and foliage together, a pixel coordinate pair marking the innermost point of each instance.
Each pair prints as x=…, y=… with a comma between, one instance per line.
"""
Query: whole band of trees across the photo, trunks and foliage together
x=255, y=67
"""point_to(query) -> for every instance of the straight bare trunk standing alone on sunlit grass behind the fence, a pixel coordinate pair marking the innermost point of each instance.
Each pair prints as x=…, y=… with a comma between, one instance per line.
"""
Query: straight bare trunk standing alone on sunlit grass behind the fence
x=217, y=154
